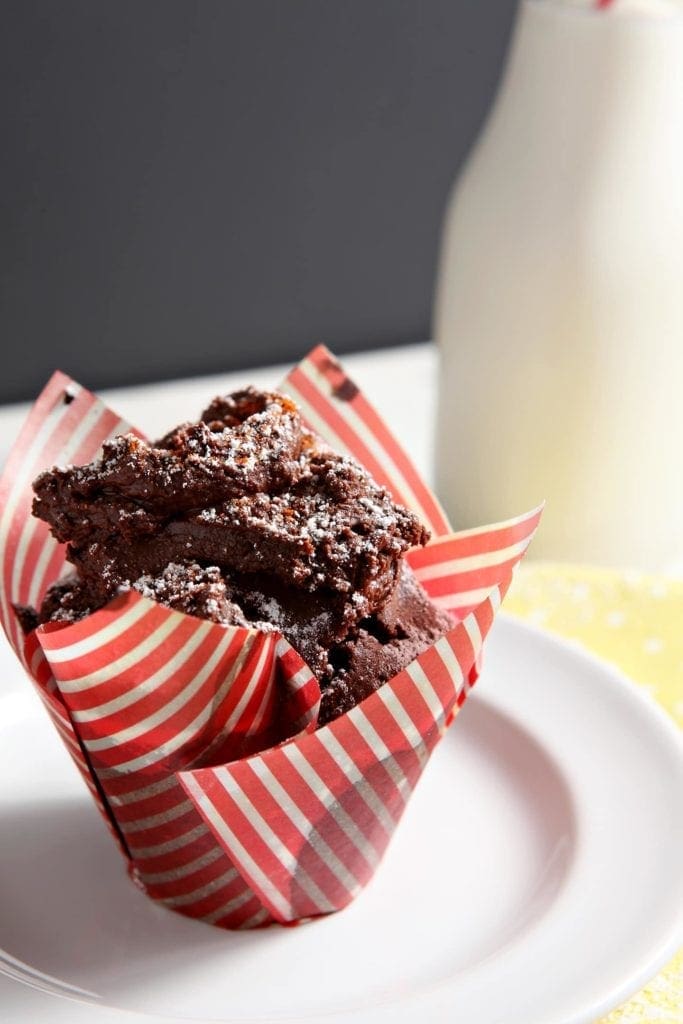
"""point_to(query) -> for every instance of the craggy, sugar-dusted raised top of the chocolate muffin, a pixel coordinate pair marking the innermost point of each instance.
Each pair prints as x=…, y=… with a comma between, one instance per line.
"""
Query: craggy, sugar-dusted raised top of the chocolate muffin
x=248, y=489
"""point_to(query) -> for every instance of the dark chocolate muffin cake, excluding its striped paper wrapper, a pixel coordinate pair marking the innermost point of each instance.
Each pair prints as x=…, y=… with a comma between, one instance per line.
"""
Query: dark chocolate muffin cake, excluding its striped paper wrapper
x=247, y=519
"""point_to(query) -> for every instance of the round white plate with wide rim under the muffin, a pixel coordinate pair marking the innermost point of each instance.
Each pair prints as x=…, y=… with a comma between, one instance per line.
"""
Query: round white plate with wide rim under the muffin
x=537, y=877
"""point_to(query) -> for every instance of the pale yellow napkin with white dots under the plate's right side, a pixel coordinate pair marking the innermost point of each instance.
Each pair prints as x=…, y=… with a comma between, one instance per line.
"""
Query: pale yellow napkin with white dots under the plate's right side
x=635, y=622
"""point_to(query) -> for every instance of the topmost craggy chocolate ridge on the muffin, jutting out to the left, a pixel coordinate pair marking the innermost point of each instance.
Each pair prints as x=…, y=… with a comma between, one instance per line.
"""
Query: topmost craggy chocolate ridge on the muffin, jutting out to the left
x=257, y=448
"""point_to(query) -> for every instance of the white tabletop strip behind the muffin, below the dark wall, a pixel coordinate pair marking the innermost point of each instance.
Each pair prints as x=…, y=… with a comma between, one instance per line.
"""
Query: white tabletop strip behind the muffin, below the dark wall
x=398, y=381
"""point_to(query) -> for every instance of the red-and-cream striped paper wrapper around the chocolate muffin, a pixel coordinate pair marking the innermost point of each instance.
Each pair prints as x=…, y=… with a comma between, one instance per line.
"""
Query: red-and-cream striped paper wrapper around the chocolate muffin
x=198, y=742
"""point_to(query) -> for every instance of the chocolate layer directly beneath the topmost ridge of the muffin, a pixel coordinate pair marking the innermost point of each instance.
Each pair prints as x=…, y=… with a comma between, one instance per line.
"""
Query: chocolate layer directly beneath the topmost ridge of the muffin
x=314, y=536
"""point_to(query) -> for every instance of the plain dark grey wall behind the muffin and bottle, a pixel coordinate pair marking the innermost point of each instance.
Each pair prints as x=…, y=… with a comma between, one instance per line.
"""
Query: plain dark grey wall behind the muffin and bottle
x=195, y=187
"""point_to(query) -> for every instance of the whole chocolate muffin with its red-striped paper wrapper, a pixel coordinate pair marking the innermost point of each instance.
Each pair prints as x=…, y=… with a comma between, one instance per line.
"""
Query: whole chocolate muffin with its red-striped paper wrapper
x=222, y=580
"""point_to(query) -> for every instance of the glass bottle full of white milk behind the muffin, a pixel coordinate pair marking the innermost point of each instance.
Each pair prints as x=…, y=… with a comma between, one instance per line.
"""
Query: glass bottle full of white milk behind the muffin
x=560, y=305
